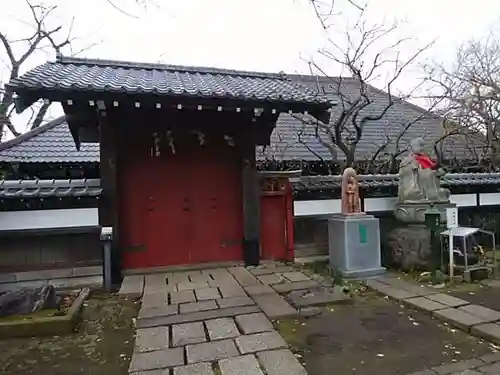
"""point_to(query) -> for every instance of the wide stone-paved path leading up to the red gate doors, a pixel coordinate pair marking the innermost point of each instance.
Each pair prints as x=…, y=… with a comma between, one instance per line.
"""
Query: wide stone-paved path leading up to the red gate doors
x=217, y=321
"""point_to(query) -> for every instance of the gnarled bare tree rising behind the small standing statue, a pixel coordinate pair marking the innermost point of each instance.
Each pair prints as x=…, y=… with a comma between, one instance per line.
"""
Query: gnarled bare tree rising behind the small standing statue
x=364, y=52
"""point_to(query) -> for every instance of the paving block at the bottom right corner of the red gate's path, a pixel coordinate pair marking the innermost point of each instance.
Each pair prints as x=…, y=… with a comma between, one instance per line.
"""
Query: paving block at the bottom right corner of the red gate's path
x=280, y=362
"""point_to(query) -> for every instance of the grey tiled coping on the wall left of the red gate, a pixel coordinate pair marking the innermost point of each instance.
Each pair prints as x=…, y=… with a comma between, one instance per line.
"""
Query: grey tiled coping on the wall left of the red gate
x=49, y=188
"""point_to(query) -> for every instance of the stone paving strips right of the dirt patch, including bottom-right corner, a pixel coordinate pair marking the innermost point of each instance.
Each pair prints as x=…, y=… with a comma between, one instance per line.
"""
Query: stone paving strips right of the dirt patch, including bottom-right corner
x=477, y=320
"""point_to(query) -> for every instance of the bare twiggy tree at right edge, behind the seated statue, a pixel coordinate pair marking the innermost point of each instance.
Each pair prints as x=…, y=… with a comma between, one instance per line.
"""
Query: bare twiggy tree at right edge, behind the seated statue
x=469, y=90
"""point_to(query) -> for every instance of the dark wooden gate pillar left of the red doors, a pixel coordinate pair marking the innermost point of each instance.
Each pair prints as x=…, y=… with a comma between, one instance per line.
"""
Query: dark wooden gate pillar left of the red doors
x=108, y=207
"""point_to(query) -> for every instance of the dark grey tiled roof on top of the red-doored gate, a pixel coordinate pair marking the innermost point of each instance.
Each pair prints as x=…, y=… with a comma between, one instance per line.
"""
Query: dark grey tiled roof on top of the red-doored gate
x=77, y=74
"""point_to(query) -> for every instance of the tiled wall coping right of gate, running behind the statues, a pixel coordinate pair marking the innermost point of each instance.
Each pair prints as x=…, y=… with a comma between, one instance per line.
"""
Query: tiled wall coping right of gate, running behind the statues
x=388, y=180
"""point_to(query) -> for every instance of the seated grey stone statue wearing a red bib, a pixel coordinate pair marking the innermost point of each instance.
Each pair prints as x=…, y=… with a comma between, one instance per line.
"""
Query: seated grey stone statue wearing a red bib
x=419, y=177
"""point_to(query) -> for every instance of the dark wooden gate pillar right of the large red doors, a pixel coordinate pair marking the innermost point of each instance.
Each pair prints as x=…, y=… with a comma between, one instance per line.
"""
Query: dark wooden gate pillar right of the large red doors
x=251, y=202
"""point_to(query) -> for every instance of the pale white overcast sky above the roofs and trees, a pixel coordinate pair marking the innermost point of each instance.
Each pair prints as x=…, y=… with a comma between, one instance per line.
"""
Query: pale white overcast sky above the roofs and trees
x=263, y=35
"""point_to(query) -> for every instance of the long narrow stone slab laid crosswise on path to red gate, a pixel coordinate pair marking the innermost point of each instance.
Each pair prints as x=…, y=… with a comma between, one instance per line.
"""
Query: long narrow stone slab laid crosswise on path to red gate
x=196, y=316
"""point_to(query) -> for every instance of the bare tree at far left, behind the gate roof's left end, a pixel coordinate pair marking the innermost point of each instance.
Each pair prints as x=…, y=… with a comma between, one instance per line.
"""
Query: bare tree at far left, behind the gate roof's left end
x=46, y=35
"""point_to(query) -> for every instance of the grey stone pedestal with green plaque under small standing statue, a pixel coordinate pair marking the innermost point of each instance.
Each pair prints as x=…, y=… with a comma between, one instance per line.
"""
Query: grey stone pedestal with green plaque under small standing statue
x=354, y=245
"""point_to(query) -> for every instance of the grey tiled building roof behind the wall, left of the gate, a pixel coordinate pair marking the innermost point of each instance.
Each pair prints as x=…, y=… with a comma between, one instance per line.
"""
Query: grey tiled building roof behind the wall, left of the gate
x=49, y=143
